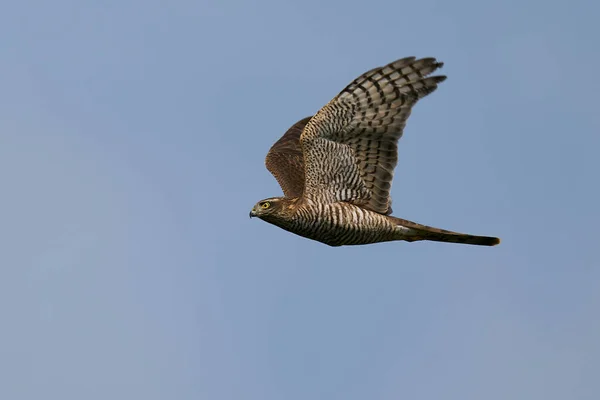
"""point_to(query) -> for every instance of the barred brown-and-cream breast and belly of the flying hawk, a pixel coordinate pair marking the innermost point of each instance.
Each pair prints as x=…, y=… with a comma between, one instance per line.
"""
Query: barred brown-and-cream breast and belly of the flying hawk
x=341, y=223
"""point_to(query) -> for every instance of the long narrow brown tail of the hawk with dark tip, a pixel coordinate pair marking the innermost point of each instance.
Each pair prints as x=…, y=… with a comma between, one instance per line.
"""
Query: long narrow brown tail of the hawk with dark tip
x=417, y=232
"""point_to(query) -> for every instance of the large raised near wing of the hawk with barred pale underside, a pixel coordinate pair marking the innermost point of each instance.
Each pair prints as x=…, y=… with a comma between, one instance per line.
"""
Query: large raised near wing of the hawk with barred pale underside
x=350, y=145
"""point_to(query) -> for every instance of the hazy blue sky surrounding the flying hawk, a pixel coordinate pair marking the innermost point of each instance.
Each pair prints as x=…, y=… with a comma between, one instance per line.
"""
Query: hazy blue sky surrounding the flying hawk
x=132, y=144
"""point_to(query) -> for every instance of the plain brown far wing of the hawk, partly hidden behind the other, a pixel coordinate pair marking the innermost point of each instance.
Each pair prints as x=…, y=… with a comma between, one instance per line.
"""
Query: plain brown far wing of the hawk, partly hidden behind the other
x=286, y=161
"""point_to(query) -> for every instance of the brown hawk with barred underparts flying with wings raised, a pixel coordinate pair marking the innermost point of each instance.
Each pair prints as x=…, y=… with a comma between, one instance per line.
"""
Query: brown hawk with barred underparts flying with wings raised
x=336, y=167
